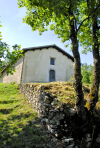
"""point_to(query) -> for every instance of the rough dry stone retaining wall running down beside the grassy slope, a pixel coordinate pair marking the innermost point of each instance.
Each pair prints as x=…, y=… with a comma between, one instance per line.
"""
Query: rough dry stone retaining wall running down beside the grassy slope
x=55, y=118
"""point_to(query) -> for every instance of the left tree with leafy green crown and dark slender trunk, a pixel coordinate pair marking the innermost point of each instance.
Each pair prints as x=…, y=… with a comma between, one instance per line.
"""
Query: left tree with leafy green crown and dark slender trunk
x=66, y=19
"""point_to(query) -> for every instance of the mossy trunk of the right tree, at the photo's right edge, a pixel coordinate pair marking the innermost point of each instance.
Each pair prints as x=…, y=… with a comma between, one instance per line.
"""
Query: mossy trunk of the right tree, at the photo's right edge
x=93, y=96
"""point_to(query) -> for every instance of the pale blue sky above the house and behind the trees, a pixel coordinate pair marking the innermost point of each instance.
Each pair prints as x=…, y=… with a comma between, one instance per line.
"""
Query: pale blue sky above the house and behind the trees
x=14, y=31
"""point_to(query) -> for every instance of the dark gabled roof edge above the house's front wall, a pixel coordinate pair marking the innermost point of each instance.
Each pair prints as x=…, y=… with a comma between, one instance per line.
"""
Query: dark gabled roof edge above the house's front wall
x=48, y=46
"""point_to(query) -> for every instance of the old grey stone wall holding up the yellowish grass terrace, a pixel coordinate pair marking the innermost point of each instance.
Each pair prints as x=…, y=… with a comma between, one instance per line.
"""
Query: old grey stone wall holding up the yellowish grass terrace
x=60, y=119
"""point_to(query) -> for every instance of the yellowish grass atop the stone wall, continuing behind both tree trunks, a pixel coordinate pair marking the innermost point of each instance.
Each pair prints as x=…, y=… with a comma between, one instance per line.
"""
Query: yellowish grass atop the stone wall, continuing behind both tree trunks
x=65, y=92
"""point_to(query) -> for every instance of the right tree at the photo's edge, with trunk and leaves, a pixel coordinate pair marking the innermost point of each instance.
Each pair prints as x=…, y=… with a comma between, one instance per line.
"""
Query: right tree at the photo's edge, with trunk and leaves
x=92, y=37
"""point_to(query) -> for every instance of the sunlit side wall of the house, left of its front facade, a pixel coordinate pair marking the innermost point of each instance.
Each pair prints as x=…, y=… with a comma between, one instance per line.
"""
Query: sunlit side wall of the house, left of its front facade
x=16, y=77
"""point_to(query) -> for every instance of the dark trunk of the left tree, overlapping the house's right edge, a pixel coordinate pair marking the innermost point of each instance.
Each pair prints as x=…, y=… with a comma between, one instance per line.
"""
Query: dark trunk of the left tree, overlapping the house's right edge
x=77, y=75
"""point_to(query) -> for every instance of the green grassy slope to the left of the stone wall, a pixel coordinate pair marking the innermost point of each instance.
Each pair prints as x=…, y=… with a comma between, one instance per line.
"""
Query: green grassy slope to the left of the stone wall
x=18, y=121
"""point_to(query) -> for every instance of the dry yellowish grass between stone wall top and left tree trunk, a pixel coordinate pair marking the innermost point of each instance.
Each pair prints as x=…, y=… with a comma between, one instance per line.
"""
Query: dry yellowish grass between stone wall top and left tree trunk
x=64, y=92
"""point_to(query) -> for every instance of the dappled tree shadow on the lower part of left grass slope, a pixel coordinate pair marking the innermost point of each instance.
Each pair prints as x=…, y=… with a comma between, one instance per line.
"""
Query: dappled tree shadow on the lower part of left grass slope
x=20, y=136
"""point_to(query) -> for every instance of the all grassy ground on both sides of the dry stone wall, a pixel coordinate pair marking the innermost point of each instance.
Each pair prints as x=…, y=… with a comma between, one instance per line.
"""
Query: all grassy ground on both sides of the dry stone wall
x=19, y=126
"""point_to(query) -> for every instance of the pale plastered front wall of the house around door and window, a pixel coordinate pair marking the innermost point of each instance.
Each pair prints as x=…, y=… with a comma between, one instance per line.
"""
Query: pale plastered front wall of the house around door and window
x=37, y=66
